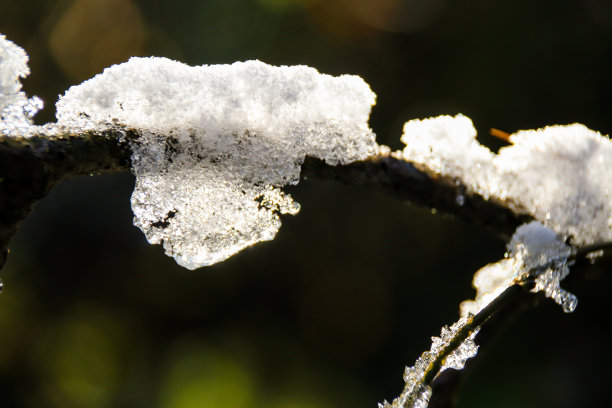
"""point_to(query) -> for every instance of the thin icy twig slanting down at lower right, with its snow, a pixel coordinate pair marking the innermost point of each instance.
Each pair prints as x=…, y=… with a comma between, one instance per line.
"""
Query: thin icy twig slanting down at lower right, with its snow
x=537, y=260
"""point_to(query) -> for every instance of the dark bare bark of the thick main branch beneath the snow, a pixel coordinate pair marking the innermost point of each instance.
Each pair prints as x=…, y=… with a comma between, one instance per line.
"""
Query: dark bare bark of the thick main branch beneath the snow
x=30, y=167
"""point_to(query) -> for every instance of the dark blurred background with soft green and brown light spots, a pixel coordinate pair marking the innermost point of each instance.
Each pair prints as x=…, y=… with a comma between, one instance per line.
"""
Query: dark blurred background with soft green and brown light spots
x=351, y=289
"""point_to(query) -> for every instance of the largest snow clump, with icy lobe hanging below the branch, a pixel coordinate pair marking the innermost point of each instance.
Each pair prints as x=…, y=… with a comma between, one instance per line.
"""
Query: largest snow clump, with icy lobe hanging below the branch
x=217, y=142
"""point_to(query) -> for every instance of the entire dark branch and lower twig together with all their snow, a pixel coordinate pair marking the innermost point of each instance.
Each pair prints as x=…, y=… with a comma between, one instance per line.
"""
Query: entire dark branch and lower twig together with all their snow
x=213, y=146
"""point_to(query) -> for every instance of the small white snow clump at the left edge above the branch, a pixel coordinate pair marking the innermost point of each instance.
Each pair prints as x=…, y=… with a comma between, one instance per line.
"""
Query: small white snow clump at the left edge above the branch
x=16, y=110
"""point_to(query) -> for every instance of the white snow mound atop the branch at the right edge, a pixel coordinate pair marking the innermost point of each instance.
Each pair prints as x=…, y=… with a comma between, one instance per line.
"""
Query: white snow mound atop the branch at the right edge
x=559, y=174
